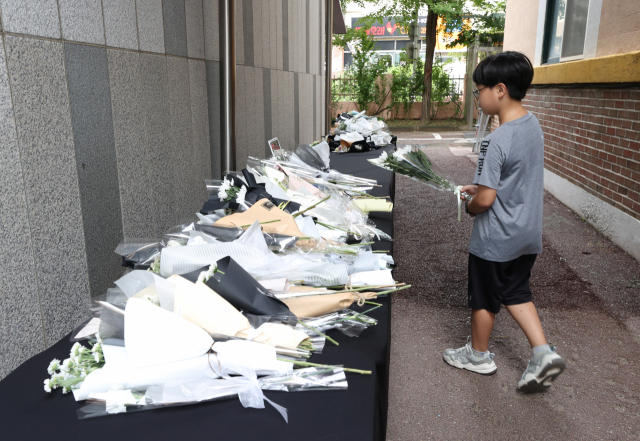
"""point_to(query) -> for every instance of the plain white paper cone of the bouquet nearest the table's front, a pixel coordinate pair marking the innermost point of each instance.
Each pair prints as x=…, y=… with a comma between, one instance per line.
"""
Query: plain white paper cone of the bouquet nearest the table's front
x=155, y=336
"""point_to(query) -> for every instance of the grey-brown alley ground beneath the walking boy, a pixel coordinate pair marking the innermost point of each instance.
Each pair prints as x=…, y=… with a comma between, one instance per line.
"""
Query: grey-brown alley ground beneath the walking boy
x=588, y=301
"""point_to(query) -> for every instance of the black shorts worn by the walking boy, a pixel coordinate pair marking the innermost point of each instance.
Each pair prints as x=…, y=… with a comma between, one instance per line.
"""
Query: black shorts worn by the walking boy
x=494, y=283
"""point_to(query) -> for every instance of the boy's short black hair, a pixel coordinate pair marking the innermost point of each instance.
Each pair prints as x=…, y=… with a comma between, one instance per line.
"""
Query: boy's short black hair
x=511, y=68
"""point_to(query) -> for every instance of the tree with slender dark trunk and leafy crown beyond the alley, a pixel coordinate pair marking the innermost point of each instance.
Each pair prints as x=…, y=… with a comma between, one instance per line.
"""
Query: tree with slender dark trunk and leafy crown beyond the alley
x=406, y=12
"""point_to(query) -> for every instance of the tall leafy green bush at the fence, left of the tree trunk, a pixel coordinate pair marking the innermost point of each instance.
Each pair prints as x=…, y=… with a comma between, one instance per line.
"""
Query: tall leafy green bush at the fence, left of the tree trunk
x=368, y=84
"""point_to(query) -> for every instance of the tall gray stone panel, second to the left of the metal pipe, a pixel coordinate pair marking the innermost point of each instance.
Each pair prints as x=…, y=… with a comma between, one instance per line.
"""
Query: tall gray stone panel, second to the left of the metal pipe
x=180, y=160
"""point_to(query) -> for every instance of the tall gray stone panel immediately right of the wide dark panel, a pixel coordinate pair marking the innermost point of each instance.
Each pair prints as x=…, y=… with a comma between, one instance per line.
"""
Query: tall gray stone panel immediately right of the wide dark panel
x=134, y=173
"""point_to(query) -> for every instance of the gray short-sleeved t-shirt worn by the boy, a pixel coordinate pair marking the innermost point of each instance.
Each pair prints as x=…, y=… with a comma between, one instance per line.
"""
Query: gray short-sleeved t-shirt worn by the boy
x=511, y=162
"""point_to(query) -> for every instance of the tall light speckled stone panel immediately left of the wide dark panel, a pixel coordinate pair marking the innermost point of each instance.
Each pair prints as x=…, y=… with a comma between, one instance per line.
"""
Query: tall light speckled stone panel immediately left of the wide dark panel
x=45, y=138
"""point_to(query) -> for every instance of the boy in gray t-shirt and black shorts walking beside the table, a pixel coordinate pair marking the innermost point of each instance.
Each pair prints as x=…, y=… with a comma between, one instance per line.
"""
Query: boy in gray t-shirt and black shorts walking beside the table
x=507, y=203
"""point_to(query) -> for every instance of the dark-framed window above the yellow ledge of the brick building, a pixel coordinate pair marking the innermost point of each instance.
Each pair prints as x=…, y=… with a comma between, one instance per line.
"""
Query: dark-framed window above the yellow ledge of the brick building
x=565, y=30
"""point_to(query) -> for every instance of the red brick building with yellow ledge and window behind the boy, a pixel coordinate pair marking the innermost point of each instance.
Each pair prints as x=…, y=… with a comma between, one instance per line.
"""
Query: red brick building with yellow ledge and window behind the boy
x=586, y=94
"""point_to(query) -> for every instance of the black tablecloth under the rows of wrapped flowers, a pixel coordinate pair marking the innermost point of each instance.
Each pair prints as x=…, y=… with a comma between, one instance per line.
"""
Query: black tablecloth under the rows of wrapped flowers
x=359, y=413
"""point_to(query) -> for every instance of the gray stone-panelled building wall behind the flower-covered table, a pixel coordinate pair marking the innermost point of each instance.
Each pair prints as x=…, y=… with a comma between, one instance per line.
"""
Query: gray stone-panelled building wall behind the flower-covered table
x=109, y=123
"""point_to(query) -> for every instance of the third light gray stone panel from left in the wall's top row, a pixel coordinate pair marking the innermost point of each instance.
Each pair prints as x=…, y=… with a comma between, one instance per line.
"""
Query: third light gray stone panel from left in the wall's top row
x=120, y=25
